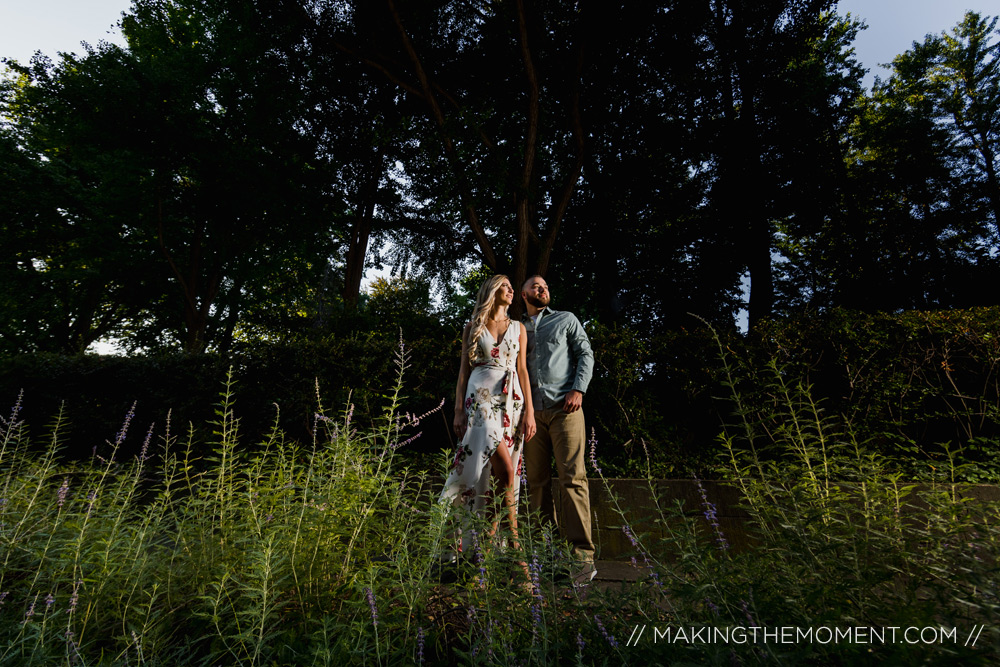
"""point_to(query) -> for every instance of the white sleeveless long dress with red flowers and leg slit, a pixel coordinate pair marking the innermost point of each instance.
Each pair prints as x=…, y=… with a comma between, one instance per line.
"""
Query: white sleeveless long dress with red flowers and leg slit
x=493, y=405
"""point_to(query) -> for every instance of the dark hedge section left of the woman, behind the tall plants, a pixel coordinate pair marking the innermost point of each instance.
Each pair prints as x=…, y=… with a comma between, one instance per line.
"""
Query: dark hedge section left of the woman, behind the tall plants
x=278, y=378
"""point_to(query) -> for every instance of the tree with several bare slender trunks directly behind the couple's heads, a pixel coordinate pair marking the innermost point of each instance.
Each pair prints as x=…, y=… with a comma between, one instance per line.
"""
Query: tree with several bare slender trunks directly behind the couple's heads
x=497, y=86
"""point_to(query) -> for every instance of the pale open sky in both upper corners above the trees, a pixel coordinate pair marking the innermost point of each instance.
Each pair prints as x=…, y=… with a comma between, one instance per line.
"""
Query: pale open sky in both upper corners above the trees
x=60, y=25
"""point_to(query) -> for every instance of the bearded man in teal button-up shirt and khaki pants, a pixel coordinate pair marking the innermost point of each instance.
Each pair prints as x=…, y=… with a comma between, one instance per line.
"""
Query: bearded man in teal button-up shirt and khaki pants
x=560, y=365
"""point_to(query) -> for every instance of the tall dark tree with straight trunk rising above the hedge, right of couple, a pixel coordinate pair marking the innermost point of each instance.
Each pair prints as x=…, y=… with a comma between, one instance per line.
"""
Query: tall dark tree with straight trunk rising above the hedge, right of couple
x=775, y=87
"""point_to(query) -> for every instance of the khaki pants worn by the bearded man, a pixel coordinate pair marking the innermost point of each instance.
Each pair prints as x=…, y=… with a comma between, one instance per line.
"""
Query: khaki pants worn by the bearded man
x=564, y=436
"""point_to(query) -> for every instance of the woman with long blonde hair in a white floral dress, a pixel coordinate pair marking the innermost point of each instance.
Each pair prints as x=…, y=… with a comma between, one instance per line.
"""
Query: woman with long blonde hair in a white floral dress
x=492, y=389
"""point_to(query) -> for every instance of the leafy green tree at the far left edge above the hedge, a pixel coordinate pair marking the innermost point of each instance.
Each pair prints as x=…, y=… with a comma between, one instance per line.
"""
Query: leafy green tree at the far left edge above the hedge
x=71, y=272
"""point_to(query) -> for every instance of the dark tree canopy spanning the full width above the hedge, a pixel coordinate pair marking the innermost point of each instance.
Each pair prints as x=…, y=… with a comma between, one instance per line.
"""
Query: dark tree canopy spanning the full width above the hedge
x=233, y=170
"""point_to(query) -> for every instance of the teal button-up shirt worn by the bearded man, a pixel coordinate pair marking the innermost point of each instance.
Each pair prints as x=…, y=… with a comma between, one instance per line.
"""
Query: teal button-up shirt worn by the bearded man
x=559, y=357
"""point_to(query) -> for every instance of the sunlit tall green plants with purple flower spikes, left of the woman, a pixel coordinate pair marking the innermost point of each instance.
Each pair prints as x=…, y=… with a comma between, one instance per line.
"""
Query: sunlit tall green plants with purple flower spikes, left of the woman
x=196, y=559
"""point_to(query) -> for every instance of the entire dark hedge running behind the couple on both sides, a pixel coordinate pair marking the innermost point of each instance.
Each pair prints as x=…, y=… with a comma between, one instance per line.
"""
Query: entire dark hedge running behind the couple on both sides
x=916, y=386
